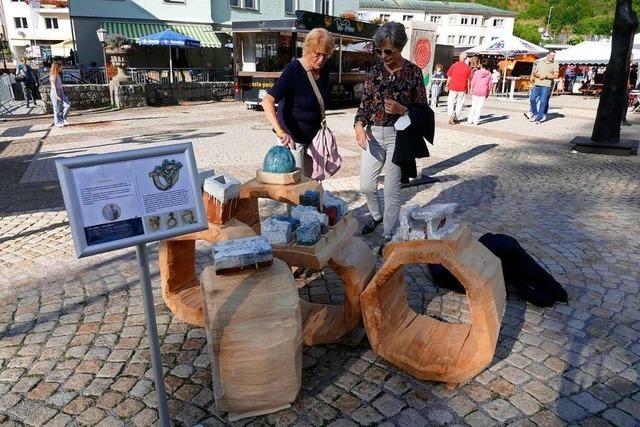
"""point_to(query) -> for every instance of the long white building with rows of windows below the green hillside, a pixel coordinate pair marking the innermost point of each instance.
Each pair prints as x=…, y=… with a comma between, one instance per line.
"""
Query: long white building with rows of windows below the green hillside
x=462, y=25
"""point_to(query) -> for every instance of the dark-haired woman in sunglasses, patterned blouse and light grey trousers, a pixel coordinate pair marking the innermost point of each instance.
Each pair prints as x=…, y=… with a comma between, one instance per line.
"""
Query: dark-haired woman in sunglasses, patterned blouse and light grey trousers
x=390, y=87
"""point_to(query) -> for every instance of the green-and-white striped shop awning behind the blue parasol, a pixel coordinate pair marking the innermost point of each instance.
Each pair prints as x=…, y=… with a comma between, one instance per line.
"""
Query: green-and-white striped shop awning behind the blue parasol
x=135, y=30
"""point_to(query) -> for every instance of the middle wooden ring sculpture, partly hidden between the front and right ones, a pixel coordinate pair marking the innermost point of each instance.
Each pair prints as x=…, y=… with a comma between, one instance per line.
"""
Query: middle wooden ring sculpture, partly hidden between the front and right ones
x=352, y=260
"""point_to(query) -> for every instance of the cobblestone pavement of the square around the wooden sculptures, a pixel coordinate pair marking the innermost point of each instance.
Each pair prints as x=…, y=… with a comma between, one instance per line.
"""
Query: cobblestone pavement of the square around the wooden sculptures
x=72, y=333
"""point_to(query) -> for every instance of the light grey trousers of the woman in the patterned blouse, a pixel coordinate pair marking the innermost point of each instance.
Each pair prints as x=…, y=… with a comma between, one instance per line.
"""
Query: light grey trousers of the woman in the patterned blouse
x=377, y=158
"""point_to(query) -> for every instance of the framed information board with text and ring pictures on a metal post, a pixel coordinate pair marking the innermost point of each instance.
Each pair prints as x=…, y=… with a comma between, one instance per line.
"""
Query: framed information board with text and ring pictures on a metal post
x=123, y=199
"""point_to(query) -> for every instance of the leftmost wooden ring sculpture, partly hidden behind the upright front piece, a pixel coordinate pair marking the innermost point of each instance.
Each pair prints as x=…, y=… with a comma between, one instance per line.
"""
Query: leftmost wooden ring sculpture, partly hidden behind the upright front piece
x=177, y=261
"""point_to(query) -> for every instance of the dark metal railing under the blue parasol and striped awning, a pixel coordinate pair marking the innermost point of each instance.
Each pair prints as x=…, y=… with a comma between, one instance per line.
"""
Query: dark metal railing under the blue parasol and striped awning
x=161, y=75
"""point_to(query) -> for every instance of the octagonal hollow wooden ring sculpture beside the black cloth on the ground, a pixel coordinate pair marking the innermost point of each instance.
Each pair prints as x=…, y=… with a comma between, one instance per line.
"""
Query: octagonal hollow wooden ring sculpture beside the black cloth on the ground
x=424, y=347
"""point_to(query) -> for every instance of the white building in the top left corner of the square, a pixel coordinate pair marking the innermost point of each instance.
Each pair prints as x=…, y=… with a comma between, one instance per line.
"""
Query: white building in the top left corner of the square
x=37, y=32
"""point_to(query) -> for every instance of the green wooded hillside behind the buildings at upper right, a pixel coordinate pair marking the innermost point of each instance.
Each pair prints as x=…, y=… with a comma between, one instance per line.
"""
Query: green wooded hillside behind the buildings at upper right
x=572, y=21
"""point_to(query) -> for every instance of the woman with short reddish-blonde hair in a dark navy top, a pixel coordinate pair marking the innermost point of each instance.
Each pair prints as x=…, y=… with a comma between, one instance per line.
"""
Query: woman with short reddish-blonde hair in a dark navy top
x=298, y=117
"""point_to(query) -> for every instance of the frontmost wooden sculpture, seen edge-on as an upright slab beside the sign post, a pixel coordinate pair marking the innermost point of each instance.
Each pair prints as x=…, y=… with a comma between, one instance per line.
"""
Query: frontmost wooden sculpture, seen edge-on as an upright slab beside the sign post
x=254, y=333
